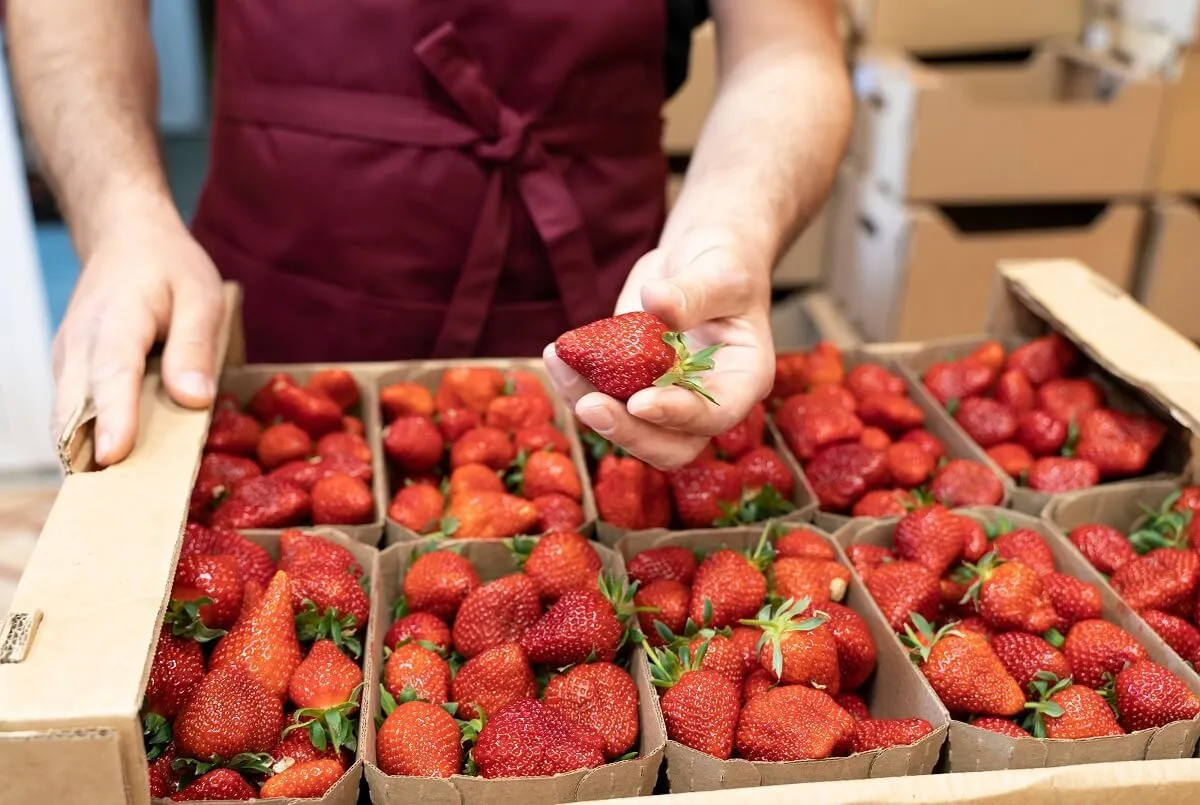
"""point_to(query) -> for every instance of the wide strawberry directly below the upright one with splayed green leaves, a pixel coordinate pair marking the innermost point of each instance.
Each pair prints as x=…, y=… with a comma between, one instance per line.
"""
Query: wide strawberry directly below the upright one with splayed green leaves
x=793, y=723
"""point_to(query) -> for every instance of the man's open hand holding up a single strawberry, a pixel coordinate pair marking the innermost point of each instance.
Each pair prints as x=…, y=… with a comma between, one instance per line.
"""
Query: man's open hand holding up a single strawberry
x=701, y=289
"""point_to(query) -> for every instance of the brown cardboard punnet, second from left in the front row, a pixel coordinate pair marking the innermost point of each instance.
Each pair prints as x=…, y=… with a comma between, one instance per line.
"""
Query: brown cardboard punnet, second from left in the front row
x=632, y=778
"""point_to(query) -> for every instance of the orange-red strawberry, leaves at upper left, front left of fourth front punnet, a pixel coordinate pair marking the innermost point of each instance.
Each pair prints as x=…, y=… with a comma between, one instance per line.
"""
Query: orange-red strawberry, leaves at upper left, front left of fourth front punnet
x=964, y=671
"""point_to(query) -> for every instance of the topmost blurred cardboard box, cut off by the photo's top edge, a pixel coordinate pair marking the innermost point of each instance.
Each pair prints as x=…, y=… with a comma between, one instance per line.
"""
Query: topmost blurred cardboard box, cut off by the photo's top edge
x=957, y=27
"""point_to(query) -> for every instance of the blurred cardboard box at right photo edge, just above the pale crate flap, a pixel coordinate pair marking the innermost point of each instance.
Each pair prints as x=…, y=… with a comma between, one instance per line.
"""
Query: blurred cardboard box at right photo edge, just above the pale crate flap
x=1171, y=272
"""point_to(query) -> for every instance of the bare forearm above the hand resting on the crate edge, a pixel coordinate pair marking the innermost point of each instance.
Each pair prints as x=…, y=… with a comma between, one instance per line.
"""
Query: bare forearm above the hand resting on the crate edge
x=87, y=77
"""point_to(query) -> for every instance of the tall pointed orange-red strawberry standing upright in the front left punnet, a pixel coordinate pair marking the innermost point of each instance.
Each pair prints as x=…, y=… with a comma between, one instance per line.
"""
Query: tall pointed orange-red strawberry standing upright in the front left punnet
x=263, y=641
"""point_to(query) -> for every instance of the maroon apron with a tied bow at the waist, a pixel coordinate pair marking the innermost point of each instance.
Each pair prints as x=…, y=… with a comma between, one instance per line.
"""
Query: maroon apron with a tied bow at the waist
x=397, y=179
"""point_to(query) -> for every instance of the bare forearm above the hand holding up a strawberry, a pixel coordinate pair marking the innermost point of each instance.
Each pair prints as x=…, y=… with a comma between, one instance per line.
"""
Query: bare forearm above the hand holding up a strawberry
x=771, y=147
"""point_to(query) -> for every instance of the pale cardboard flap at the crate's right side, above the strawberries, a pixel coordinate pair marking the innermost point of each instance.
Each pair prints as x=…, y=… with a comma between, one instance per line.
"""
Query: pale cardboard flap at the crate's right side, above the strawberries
x=1107, y=325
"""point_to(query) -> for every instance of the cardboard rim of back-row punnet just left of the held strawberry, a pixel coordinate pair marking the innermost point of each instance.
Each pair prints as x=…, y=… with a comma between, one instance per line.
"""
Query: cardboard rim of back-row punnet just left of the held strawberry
x=429, y=374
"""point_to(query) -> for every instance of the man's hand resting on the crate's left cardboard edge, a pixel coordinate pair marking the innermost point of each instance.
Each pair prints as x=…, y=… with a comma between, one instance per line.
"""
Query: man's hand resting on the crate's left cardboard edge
x=143, y=283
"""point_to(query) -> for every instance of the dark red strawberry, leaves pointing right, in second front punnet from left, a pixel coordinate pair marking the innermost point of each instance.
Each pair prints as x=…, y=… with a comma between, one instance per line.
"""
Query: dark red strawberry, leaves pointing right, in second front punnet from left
x=580, y=626
